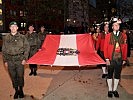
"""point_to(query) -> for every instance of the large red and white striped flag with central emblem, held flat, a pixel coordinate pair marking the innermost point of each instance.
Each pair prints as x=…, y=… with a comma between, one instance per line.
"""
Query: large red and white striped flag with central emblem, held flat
x=67, y=50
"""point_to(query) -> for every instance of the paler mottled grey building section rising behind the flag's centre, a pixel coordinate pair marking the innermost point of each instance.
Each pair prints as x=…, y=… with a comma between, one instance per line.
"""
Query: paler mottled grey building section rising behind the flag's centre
x=78, y=12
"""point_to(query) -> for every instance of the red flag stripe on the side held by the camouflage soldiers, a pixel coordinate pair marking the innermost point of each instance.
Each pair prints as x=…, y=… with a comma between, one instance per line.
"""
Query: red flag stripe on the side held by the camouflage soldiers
x=47, y=54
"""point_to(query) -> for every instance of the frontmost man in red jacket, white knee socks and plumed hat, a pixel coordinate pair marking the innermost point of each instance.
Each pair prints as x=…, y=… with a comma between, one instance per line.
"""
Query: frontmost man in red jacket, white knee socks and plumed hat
x=115, y=53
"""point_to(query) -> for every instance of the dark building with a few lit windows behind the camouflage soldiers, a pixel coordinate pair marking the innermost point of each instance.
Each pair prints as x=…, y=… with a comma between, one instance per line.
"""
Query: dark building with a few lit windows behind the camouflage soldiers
x=37, y=12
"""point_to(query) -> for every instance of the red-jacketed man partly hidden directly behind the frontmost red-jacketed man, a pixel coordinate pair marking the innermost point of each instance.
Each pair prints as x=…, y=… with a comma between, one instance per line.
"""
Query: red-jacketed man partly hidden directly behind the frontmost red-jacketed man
x=100, y=46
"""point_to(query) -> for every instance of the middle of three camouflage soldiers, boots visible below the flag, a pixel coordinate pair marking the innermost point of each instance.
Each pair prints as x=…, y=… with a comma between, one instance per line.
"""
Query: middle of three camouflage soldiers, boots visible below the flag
x=35, y=43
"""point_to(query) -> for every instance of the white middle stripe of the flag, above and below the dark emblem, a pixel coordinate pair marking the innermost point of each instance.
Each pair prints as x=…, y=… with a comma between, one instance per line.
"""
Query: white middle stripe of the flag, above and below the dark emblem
x=67, y=41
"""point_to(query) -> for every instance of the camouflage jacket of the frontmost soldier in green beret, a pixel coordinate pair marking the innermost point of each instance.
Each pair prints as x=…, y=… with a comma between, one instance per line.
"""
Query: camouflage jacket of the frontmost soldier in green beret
x=14, y=45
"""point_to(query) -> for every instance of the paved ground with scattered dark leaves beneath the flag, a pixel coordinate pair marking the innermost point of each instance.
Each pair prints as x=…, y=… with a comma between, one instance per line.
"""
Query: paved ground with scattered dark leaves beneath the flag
x=59, y=83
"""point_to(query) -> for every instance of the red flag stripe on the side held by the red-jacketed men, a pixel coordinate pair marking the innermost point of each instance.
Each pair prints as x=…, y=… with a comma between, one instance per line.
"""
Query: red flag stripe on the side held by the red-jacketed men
x=87, y=55
